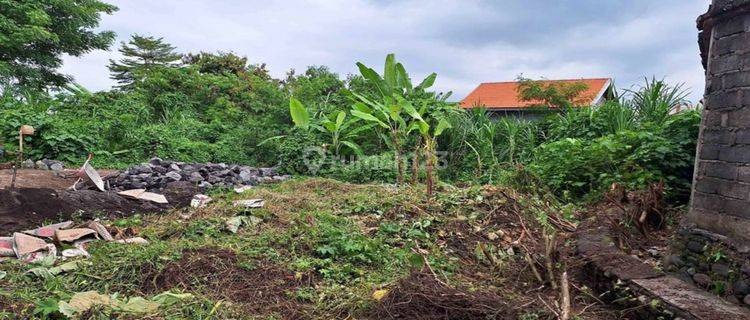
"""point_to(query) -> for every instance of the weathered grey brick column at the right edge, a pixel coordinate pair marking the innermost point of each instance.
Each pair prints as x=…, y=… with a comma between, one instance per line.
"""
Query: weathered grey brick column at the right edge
x=720, y=200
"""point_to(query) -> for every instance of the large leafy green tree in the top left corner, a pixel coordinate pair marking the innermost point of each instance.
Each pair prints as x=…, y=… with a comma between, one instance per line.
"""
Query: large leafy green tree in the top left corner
x=35, y=34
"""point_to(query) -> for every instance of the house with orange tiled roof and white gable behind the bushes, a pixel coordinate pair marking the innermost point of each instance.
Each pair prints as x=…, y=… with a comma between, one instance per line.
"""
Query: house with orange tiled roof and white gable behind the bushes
x=502, y=98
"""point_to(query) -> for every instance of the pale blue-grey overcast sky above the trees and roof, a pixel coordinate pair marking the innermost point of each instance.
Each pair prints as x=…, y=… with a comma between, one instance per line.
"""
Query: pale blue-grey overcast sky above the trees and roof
x=465, y=42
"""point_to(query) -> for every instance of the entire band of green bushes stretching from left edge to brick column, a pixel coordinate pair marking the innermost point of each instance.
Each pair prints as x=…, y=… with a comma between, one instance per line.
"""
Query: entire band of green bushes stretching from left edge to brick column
x=217, y=109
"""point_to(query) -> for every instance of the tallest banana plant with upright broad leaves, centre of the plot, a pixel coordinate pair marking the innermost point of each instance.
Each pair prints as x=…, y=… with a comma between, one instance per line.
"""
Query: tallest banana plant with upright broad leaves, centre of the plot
x=388, y=111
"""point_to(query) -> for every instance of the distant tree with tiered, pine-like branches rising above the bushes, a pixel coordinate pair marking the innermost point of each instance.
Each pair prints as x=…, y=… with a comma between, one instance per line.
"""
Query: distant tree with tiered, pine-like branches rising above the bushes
x=142, y=54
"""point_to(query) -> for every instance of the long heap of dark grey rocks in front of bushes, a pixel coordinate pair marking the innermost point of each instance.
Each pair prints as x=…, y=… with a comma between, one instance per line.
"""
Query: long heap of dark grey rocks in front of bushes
x=157, y=173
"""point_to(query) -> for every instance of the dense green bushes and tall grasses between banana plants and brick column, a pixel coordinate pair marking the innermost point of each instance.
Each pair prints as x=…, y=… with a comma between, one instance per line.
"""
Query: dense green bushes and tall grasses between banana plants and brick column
x=578, y=153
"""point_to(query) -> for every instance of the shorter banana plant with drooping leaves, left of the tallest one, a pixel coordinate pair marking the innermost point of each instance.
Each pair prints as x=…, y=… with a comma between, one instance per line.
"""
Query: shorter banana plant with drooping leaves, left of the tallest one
x=340, y=130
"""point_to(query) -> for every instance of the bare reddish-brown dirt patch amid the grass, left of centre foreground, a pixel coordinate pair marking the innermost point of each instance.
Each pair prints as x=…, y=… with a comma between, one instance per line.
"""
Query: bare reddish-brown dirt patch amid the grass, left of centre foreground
x=265, y=288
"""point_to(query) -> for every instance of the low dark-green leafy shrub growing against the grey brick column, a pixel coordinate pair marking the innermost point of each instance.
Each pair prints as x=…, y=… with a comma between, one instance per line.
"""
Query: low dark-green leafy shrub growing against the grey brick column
x=576, y=168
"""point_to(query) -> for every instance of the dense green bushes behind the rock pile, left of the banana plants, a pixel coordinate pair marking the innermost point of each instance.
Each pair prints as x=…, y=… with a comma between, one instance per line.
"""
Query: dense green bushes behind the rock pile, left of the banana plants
x=176, y=112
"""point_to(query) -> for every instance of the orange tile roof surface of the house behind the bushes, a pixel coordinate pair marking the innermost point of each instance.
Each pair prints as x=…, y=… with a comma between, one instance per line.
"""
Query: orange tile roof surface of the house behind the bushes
x=504, y=95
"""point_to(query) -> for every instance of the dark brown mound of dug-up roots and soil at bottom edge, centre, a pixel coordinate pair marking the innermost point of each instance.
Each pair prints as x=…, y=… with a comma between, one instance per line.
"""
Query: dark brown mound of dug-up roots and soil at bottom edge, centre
x=421, y=296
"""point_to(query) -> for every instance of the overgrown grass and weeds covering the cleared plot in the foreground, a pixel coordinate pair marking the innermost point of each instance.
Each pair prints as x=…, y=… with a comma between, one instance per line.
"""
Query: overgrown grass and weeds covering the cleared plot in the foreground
x=347, y=240
